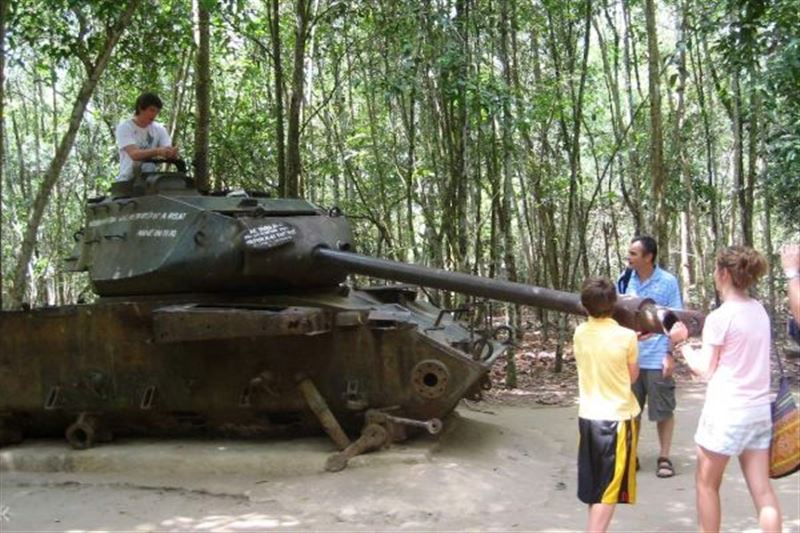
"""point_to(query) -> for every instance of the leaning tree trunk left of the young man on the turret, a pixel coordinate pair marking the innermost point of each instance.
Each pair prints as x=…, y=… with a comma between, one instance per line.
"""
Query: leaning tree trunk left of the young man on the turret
x=62, y=152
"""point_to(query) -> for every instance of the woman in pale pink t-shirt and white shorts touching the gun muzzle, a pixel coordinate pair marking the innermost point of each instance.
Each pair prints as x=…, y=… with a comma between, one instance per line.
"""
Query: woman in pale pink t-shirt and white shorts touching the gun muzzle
x=736, y=420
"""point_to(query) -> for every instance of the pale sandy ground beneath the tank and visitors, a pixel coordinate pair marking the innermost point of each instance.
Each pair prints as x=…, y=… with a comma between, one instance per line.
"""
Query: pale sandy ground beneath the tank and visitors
x=499, y=469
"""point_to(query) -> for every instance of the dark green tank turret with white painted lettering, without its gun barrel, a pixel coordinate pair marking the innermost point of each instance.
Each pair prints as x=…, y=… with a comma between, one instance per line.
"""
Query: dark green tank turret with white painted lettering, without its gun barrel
x=157, y=235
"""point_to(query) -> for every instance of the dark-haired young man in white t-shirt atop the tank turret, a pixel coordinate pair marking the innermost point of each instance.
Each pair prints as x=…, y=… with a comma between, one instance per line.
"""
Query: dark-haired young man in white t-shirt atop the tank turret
x=141, y=138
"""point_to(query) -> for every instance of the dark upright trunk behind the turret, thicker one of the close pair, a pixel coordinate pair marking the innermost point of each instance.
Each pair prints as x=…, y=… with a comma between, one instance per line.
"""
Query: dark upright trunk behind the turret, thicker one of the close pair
x=292, y=187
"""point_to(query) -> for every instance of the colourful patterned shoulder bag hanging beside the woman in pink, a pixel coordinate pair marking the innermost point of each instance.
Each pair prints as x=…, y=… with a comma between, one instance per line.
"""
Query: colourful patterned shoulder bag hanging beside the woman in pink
x=784, y=451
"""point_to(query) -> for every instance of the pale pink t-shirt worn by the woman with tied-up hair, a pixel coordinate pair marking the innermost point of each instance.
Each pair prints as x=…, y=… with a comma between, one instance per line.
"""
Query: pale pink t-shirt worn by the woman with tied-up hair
x=741, y=380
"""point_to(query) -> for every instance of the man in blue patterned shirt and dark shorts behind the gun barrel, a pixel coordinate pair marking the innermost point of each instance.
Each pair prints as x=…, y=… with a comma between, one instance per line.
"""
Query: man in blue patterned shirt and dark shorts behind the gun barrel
x=655, y=386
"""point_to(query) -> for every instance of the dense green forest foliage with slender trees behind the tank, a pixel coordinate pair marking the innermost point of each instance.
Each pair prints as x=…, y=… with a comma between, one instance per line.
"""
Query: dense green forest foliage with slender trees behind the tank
x=409, y=121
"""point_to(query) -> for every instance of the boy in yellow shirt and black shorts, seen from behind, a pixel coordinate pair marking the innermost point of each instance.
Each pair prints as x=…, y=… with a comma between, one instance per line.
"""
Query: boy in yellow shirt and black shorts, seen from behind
x=606, y=355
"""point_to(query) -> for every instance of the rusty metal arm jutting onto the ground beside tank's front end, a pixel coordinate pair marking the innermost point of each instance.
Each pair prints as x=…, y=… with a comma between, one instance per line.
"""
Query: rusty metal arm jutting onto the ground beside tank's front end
x=379, y=431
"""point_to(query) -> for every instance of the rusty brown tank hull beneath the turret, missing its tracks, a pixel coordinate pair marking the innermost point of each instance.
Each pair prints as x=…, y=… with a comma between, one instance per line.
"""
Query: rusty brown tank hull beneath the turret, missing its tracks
x=205, y=365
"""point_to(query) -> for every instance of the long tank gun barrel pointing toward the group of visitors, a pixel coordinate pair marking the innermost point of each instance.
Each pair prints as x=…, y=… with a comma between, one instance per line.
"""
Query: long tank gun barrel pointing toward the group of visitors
x=639, y=314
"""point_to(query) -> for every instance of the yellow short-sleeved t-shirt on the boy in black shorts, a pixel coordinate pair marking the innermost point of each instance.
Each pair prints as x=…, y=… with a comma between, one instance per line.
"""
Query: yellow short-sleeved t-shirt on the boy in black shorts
x=603, y=350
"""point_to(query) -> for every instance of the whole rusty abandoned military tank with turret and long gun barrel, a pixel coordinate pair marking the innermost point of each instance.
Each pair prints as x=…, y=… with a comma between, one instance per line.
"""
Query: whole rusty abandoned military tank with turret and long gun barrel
x=227, y=314
